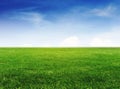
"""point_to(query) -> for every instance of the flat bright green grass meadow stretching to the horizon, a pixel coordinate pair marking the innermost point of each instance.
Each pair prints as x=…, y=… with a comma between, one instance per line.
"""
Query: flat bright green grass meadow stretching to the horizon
x=59, y=68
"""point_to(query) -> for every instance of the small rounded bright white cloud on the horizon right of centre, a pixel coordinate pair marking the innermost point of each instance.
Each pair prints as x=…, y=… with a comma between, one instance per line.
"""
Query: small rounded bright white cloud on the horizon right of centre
x=72, y=41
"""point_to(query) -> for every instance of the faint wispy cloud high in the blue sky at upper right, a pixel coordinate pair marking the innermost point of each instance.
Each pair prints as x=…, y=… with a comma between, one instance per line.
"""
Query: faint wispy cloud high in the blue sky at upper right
x=104, y=12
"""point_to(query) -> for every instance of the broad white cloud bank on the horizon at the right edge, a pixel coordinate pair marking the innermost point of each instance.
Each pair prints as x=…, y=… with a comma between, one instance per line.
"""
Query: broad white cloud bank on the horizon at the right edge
x=107, y=39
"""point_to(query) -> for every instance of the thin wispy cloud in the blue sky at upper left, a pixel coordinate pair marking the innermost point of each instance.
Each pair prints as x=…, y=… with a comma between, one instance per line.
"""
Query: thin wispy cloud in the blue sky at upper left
x=29, y=17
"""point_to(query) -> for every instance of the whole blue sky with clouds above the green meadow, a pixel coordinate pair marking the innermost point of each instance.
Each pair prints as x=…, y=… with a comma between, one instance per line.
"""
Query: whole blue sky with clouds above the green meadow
x=59, y=23
